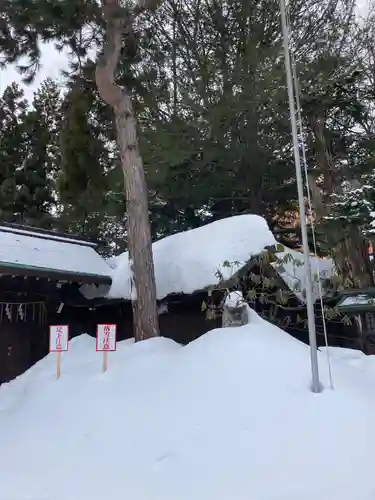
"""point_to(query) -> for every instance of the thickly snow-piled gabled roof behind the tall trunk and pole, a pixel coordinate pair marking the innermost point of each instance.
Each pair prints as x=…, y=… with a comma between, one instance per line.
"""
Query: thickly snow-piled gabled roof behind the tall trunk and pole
x=190, y=261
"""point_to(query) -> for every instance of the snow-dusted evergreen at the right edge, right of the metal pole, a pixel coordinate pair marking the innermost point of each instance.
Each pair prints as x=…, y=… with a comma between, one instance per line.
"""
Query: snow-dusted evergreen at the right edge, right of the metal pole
x=340, y=140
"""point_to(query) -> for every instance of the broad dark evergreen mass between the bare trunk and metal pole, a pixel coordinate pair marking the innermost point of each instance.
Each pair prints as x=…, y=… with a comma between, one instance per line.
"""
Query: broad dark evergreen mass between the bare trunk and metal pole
x=221, y=142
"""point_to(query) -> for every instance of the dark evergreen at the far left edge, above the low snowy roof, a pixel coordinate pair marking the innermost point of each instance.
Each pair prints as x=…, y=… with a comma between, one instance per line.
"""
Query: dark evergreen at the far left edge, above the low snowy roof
x=26, y=192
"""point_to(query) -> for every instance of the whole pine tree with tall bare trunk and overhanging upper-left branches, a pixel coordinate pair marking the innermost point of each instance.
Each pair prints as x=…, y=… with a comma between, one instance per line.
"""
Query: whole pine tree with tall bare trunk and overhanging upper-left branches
x=66, y=23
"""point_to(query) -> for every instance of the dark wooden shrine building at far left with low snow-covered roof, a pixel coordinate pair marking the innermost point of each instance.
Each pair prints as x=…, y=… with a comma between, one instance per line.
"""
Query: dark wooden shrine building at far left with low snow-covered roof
x=41, y=273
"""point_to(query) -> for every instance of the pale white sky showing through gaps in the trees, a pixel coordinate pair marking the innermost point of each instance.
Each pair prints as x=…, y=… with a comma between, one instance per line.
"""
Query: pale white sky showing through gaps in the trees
x=53, y=62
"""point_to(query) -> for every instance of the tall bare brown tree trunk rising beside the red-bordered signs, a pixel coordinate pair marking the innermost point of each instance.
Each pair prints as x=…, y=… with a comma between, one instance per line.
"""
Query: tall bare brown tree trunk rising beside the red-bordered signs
x=119, y=23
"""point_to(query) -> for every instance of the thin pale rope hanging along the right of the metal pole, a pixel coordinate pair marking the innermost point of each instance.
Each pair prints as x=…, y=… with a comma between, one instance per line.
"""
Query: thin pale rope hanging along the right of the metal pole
x=305, y=168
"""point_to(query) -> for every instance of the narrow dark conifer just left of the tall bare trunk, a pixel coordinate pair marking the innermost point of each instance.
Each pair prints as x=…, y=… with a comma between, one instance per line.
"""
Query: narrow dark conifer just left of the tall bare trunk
x=82, y=182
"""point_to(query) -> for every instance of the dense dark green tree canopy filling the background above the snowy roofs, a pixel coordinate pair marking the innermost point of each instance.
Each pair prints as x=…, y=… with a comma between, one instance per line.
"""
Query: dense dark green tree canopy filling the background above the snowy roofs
x=208, y=84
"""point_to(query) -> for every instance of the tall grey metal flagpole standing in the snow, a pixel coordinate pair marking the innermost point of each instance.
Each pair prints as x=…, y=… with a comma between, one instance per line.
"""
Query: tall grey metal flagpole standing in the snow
x=316, y=385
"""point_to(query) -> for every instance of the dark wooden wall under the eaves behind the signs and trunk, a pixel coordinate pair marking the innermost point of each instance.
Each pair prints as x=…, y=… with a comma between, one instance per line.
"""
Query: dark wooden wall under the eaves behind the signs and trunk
x=24, y=342
